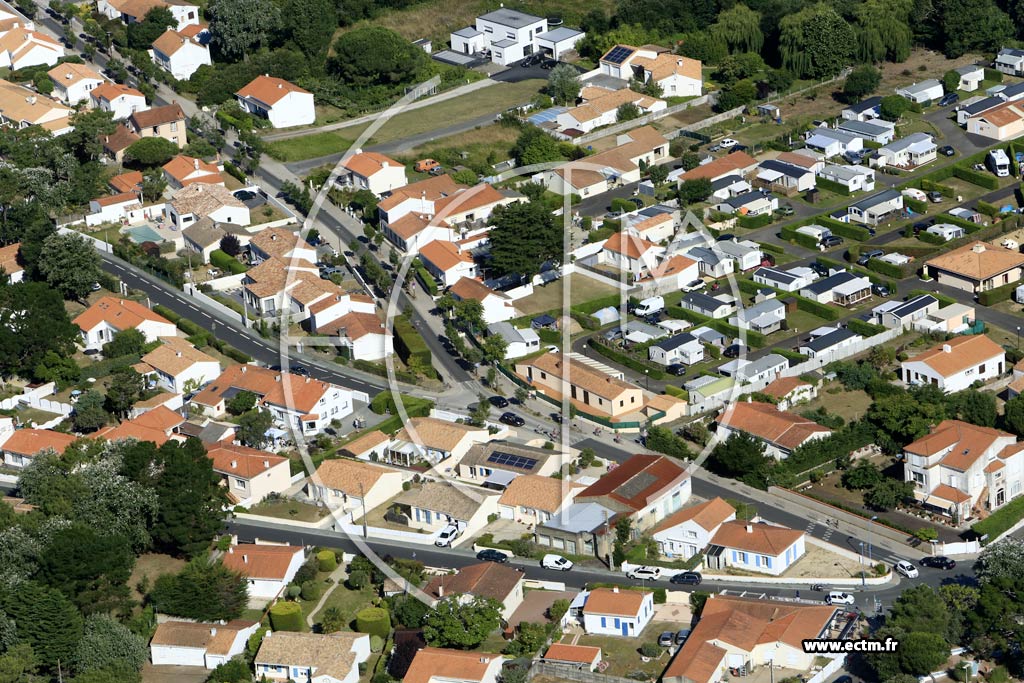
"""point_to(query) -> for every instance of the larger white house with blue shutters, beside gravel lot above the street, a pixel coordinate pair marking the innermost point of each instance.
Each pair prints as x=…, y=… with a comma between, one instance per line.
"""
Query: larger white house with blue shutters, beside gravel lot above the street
x=755, y=547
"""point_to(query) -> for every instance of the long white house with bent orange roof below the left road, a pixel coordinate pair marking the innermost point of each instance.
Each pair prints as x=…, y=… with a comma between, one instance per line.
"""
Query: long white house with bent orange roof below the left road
x=296, y=403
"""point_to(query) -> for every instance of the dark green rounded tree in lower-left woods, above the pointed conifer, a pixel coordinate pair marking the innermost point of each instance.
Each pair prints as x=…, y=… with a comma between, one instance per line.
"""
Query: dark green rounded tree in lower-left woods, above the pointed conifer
x=92, y=567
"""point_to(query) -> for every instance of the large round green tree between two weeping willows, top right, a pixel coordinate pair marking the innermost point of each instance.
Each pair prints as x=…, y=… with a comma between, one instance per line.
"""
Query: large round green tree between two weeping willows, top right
x=817, y=42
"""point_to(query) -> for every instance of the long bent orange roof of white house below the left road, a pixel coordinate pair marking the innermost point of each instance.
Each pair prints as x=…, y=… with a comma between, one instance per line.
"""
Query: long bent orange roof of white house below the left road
x=278, y=389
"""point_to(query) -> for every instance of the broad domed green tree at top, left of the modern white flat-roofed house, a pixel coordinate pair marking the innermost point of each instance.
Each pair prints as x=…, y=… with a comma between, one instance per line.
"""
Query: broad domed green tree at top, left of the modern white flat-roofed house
x=375, y=56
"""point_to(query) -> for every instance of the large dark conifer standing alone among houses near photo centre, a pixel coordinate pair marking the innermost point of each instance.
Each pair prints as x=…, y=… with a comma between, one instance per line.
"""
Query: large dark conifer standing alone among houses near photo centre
x=524, y=238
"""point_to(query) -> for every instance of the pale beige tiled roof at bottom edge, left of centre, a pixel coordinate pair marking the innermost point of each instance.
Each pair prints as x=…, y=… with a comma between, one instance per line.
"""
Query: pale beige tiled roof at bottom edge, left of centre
x=328, y=655
